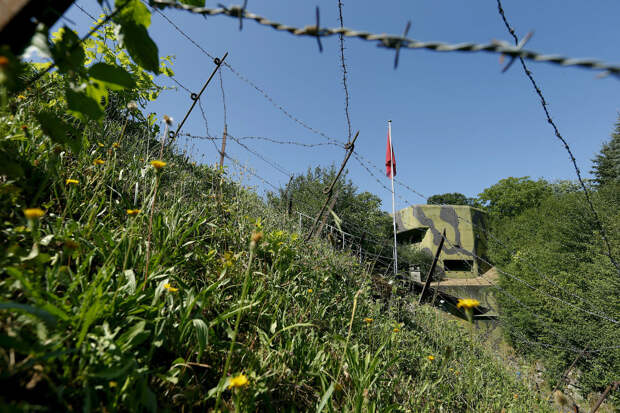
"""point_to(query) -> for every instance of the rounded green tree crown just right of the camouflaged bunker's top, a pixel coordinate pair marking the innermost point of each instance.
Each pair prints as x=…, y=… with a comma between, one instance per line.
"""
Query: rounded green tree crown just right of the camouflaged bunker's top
x=512, y=196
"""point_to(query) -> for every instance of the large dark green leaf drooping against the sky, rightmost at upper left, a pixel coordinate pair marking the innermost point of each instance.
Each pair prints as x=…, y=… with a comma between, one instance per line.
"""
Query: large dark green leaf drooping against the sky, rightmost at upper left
x=140, y=46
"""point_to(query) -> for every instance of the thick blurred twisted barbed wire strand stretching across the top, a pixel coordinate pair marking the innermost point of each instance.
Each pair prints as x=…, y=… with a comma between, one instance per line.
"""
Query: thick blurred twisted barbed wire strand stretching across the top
x=390, y=41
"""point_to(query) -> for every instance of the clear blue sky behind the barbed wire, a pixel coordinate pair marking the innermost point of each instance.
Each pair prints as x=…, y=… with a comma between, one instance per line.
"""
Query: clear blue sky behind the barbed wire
x=458, y=123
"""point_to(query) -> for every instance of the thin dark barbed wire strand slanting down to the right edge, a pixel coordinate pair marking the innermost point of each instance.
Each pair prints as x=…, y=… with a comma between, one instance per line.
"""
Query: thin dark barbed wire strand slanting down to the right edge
x=543, y=102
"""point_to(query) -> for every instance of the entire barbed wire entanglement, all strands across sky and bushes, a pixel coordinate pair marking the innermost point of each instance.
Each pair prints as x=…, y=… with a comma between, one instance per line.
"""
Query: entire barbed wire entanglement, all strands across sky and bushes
x=354, y=241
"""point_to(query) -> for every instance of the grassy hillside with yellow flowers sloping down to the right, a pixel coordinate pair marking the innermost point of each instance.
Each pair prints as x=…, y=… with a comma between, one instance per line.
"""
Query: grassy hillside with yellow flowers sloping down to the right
x=235, y=311
